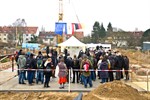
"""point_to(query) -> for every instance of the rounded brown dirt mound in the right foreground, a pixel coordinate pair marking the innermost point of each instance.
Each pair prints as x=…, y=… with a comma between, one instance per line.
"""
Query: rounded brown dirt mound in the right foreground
x=114, y=91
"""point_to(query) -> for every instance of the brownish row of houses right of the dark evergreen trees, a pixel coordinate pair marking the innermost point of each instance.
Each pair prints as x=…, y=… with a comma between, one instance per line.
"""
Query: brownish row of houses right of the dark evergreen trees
x=122, y=39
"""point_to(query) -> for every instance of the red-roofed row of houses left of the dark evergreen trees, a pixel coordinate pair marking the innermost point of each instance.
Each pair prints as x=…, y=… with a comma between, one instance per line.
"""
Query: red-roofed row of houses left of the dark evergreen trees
x=45, y=37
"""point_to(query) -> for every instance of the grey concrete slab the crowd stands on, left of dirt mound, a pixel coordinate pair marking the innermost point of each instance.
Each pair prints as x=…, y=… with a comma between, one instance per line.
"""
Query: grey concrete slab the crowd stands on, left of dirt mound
x=12, y=85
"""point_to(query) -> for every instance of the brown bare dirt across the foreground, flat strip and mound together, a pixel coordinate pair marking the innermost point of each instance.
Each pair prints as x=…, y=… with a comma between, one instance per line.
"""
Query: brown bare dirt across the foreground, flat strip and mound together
x=109, y=91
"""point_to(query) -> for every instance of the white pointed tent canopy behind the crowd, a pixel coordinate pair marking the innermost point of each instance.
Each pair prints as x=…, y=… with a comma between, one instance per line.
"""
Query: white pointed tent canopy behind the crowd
x=73, y=45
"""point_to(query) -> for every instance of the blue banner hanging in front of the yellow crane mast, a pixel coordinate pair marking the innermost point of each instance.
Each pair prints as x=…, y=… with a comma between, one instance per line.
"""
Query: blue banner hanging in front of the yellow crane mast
x=60, y=28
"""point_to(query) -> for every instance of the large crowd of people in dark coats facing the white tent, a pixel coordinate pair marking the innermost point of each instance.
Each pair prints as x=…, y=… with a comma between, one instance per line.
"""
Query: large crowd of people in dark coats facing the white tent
x=86, y=67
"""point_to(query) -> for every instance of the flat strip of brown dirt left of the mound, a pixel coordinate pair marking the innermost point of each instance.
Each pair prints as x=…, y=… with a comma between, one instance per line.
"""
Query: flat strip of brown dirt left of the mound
x=37, y=96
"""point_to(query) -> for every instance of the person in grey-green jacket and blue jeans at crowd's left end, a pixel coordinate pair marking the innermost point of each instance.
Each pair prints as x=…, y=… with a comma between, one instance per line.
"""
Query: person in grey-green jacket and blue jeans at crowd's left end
x=21, y=64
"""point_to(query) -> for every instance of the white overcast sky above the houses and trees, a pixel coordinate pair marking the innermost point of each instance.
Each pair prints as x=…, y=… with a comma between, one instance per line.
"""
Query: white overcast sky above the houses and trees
x=124, y=14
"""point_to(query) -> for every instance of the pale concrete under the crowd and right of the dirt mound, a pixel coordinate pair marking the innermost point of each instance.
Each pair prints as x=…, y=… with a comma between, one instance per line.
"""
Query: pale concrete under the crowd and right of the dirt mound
x=9, y=82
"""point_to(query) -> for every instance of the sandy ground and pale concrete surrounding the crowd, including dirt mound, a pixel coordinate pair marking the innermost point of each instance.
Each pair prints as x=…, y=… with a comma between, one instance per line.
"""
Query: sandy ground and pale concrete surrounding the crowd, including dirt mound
x=137, y=88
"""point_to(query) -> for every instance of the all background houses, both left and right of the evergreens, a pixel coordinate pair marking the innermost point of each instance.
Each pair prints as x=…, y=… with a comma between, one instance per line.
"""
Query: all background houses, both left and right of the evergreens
x=119, y=39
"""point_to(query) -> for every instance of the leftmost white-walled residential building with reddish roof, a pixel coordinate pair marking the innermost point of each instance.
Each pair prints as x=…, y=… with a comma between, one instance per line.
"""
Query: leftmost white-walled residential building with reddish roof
x=8, y=33
